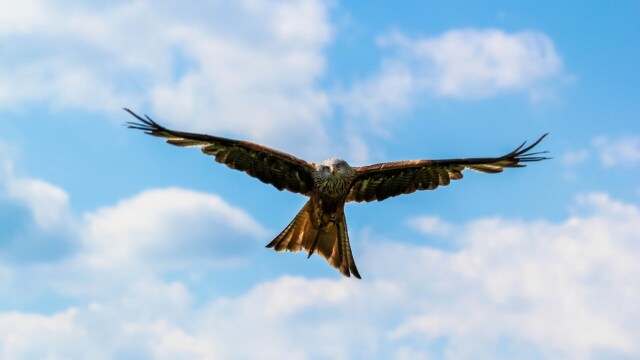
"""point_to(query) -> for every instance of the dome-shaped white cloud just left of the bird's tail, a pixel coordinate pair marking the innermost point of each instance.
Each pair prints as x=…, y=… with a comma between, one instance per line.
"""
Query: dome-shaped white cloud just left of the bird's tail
x=168, y=226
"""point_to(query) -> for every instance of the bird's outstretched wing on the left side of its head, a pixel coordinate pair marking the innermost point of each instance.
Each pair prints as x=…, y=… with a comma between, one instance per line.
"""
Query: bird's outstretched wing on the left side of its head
x=282, y=170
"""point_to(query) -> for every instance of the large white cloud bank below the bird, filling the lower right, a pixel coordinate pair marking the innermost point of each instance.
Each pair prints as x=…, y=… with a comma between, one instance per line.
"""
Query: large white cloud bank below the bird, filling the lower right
x=562, y=290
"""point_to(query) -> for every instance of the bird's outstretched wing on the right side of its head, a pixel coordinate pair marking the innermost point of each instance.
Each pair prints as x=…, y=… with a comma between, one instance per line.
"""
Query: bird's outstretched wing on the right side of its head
x=382, y=181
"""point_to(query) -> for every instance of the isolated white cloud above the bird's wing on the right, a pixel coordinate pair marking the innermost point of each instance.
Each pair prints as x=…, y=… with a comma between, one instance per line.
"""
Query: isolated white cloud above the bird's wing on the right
x=480, y=63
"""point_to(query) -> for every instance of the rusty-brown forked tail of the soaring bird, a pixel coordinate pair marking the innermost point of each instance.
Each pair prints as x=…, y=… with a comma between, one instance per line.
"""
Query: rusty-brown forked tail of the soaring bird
x=330, y=240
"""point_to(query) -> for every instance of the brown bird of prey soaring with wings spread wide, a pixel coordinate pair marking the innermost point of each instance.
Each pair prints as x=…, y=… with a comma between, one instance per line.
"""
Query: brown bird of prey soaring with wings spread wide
x=320, y=226
